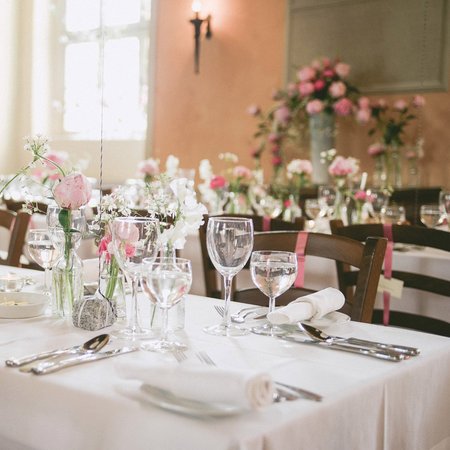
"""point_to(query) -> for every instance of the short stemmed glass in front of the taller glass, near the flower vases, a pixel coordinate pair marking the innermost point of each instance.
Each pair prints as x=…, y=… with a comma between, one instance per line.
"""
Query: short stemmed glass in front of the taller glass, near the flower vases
x=165, y=281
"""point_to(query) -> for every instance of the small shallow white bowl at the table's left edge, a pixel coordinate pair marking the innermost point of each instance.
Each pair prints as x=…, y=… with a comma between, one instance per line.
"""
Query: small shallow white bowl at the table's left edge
x=21, y=305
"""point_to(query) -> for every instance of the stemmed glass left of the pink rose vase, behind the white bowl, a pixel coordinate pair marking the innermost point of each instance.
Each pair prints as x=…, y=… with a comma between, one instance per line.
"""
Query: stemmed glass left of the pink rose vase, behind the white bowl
x=44, y=252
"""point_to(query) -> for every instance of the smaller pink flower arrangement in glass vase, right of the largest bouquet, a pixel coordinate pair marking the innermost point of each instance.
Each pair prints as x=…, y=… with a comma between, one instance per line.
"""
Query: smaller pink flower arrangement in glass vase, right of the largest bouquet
x=389, y=122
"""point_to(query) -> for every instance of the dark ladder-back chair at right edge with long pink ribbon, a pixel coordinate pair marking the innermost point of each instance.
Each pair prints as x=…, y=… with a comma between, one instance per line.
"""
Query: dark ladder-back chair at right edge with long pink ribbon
x=407, y=234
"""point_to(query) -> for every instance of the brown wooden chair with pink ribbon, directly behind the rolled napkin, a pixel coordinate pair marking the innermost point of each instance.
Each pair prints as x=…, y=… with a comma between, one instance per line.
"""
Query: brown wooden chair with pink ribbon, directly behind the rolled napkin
x=359, y=286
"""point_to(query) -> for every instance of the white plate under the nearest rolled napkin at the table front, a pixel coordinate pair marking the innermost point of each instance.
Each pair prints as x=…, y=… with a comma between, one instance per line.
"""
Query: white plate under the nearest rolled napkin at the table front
x=170, y=402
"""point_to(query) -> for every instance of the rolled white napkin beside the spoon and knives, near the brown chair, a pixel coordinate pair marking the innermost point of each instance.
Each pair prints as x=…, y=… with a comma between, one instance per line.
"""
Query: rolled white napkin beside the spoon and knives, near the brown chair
x=309, y=307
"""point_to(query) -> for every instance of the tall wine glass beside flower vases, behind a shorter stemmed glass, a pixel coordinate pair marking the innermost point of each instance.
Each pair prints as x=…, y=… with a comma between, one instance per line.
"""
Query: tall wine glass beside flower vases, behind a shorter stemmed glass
x=133, y=239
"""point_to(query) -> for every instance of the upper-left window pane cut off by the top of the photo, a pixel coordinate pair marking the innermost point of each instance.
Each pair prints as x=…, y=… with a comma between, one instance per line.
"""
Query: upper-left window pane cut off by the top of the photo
x=82, y=15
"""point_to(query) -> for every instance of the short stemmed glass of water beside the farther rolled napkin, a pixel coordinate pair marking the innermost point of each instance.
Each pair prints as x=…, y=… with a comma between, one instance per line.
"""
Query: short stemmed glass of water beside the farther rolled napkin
x=273, y=272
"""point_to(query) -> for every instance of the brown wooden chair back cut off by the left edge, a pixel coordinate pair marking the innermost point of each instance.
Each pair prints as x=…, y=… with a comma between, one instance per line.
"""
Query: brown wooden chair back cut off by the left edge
x=17, y=225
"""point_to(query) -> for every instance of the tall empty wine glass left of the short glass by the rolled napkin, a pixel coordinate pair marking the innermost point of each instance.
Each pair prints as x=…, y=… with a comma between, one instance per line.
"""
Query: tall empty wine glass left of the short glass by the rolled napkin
x=229, y=242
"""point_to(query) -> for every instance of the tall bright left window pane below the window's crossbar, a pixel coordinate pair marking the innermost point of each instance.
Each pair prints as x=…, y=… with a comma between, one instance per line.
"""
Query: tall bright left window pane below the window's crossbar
x=81, y=95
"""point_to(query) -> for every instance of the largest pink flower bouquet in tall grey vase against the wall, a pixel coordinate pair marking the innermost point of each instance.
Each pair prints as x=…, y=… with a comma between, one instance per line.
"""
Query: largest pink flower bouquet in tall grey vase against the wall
x=321, y=93
